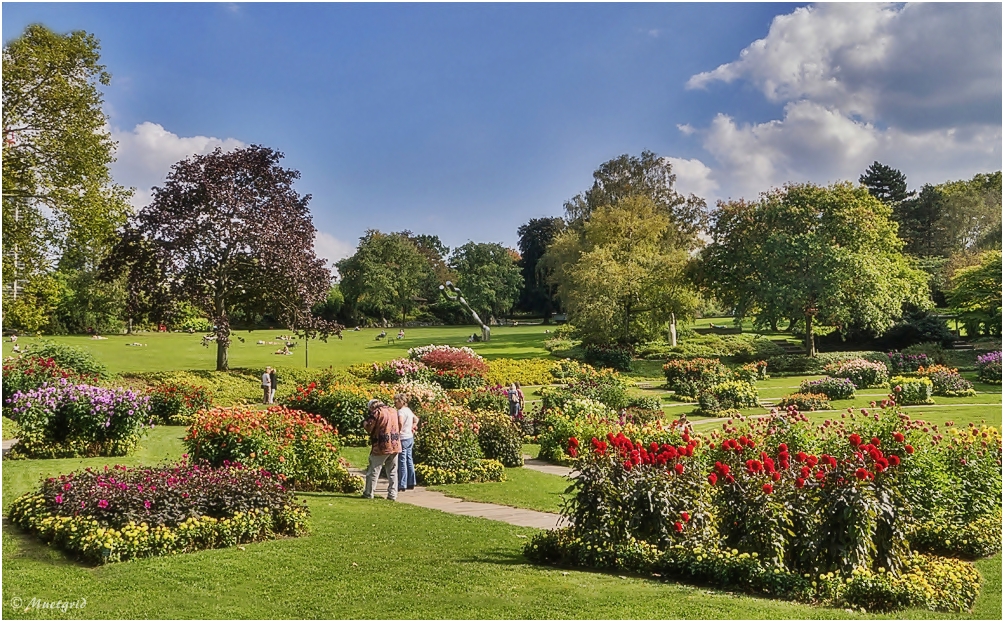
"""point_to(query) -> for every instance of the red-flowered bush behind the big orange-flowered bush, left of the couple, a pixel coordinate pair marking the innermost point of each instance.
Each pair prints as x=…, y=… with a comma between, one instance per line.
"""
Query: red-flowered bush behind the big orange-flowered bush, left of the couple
x=343, y=406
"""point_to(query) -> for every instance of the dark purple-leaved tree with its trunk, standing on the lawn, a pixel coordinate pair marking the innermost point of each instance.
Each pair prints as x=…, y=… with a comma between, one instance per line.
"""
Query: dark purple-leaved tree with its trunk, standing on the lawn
x=232, y=238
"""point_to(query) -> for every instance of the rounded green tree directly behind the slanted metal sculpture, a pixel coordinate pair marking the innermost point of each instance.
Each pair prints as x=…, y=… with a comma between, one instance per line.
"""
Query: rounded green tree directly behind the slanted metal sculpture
x=489, y=277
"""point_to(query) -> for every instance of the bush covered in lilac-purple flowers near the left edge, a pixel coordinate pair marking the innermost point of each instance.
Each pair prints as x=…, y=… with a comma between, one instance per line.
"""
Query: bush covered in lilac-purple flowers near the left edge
x=69, y=420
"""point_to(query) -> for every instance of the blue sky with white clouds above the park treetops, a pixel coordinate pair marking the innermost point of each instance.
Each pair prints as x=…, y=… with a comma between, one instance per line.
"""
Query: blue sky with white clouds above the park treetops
x=466, y=121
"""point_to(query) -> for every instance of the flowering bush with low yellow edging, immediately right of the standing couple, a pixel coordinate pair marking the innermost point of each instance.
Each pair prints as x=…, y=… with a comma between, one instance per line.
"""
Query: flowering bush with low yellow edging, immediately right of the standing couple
x=447, y=449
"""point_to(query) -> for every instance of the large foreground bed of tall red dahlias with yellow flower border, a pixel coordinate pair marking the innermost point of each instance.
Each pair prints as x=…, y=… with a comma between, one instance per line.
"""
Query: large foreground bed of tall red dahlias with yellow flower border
x=782, y=507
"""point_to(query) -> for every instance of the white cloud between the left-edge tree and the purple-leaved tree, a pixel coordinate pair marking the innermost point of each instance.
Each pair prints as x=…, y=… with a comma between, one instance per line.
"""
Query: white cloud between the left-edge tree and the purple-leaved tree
x=146, y=154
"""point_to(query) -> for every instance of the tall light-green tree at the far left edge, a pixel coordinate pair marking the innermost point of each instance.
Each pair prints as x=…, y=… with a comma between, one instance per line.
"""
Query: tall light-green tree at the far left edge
x=60, y=203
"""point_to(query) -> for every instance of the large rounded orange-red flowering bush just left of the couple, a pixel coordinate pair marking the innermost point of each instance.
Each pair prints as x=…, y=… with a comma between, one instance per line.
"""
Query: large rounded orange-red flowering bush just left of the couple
x=300, y=448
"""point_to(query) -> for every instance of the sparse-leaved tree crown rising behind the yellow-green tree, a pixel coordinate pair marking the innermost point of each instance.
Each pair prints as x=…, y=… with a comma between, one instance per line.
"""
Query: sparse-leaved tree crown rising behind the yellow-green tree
x=649, y=176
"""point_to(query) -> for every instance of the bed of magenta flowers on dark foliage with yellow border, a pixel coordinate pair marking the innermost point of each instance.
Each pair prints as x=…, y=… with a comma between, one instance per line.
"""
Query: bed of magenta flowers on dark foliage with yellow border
x=125, y=513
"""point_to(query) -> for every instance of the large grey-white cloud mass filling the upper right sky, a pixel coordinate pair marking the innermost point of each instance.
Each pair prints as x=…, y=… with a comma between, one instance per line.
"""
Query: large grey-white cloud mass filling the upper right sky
x=916, y=87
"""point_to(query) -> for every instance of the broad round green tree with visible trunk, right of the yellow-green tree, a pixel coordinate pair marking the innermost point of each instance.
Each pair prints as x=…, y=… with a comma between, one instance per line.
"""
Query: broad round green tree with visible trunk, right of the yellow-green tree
x=827, y=255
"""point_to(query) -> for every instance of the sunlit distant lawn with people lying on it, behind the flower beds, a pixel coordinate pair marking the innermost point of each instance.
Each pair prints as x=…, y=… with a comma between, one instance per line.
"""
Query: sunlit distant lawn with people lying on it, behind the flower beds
x=171, y=352
